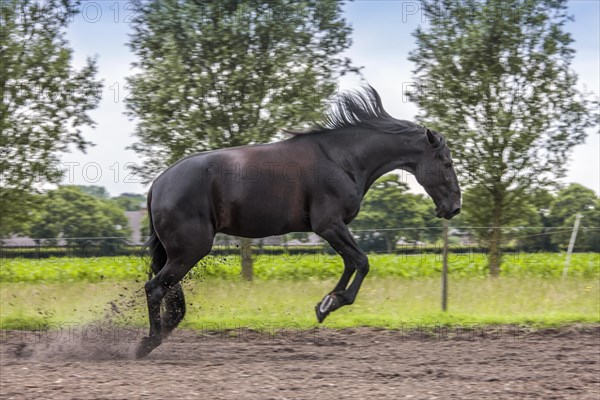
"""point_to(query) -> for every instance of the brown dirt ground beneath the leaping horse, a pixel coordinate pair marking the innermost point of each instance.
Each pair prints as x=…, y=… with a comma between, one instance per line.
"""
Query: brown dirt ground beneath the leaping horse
x=479, y=362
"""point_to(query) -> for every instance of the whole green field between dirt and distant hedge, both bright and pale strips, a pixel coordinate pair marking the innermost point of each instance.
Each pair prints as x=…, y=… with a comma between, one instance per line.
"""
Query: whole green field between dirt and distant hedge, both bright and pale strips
x=400, y=290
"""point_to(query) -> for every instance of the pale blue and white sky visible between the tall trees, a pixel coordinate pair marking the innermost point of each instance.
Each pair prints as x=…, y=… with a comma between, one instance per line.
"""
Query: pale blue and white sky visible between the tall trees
x=381, y=42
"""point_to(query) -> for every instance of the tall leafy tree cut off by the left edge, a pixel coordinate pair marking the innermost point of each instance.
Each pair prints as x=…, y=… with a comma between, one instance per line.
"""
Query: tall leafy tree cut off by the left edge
x=44, y=102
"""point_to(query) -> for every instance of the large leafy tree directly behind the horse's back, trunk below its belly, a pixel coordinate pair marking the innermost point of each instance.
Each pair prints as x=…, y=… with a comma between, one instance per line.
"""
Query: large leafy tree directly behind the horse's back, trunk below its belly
x=215, y=74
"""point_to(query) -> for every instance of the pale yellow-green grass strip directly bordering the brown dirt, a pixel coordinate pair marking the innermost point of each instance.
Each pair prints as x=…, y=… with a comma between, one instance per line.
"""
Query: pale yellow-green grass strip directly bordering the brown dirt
x=390, y=303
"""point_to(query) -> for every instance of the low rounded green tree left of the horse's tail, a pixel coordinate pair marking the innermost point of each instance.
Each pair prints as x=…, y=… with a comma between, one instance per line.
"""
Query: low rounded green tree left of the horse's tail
x=68, y=212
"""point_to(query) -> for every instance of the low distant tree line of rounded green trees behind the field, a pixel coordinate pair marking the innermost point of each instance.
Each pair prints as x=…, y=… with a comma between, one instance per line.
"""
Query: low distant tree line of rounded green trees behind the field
x=87, y=215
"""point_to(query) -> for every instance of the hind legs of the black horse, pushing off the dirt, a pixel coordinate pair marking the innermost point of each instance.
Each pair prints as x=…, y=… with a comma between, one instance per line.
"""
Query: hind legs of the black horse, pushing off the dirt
x=183, y=252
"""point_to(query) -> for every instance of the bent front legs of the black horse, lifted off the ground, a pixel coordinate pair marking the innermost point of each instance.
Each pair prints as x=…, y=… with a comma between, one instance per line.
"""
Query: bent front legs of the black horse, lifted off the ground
x=355, y=260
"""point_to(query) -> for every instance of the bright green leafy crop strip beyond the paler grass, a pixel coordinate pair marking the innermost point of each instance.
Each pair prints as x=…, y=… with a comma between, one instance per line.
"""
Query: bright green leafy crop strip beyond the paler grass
x=300, y=267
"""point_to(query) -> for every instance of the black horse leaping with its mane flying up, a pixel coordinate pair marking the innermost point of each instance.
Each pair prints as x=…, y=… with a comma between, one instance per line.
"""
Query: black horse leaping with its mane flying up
x=314, y=181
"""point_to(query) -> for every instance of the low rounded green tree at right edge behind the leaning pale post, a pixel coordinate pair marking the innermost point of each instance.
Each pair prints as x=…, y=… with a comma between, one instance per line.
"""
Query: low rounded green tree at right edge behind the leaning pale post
x=576, y=199
